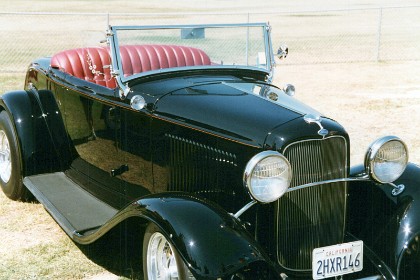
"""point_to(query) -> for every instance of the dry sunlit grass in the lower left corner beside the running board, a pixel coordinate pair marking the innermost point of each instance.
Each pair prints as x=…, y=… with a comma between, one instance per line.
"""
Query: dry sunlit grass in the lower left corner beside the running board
x=33, y=246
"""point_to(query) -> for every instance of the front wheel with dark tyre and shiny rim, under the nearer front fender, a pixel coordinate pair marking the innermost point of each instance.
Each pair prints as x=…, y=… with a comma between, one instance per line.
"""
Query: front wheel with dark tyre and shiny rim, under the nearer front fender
x=160, y=258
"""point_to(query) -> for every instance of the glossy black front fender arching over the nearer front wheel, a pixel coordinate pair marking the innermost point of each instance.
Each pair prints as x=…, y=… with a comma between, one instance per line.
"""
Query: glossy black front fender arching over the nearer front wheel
x=212, y=242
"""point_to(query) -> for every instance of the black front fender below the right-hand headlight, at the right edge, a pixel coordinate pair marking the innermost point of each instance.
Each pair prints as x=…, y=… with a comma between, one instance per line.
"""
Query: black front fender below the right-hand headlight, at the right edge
x=387, y=224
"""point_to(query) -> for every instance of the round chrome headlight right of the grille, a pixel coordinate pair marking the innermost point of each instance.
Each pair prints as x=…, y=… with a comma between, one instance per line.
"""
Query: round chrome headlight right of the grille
x=386, y=159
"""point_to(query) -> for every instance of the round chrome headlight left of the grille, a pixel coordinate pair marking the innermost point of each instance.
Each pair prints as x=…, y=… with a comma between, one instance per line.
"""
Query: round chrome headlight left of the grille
x=267, y=176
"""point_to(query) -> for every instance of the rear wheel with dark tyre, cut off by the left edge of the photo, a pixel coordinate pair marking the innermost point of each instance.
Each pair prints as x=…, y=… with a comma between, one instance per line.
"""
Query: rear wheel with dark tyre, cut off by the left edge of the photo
x=10, y=161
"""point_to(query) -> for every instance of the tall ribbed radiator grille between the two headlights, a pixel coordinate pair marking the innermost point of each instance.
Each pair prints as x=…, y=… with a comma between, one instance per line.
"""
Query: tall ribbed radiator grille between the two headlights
x=312, y=217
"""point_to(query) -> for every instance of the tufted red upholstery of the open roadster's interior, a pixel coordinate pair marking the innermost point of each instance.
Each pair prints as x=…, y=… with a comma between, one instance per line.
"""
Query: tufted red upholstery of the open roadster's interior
x=88, y=63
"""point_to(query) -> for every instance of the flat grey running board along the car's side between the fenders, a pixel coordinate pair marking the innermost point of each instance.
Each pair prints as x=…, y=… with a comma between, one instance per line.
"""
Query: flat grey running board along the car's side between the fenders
x=74, y=209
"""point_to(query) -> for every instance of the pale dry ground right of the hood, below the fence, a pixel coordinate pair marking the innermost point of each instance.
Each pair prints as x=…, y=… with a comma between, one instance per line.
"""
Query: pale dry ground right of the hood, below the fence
x=369, y=99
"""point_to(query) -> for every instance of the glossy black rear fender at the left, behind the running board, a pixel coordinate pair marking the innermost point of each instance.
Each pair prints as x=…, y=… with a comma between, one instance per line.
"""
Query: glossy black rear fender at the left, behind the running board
x=40, y=130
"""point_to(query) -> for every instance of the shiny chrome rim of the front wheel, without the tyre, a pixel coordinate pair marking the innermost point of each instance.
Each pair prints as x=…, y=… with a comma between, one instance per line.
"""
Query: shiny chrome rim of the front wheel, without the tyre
x=161, y=262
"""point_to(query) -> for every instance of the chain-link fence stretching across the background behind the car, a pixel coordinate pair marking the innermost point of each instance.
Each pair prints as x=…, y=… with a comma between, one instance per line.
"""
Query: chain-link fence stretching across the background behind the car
x=335, y=36
